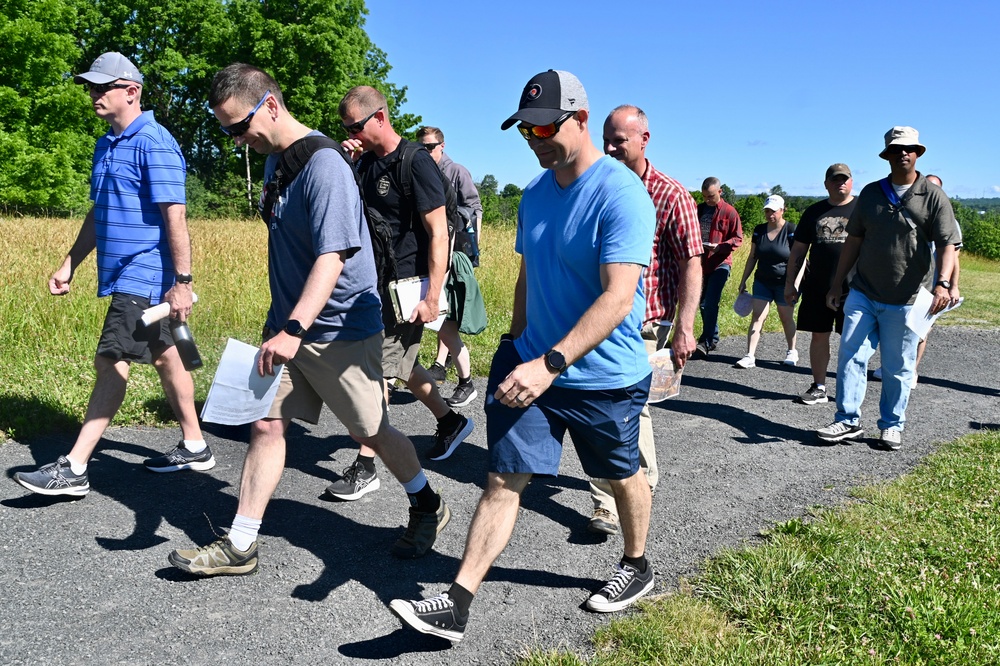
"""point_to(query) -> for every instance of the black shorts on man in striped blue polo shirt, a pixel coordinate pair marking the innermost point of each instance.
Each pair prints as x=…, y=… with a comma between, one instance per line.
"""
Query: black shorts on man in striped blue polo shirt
x=125, y=338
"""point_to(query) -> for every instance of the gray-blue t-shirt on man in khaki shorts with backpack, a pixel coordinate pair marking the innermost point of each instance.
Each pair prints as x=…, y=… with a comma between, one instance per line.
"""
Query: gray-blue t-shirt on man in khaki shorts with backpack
x=317, y=213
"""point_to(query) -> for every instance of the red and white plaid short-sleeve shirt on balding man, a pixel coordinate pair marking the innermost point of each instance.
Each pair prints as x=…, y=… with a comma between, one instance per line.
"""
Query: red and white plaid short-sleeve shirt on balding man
x=677, y=238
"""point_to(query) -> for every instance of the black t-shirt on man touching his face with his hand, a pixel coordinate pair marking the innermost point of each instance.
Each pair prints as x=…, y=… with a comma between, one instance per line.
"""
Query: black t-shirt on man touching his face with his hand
x=383, y=191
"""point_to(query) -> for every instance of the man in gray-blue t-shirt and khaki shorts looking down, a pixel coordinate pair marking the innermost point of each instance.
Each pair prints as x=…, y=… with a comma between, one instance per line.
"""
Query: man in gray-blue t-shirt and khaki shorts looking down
x=324, y=324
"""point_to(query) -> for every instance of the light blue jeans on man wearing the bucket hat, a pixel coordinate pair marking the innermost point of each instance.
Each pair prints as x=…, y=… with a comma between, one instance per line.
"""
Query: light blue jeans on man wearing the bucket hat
x=868, y=323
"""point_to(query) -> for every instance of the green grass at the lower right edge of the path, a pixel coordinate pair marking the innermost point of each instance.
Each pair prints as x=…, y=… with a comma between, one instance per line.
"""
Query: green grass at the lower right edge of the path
x=907, y=573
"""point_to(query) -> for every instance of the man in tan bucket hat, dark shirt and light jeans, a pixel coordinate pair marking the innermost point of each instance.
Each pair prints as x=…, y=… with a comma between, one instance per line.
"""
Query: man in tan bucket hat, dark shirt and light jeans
x=889, y=237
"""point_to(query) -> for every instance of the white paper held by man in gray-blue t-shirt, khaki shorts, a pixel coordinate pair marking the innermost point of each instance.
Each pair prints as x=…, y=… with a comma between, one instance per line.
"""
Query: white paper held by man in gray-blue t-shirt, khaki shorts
x=238, y=394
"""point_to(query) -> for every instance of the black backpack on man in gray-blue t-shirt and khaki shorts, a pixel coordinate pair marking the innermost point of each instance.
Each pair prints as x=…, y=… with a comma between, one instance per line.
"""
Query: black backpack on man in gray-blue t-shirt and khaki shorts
x=293, y=159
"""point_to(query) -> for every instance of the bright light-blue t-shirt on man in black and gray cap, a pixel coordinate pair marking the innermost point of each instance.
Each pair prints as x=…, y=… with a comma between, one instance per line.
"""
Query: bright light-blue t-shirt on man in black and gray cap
x=564, y=235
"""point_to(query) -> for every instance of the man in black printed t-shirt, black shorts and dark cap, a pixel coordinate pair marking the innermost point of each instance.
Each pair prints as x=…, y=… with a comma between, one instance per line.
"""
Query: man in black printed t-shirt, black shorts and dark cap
x=823, y=227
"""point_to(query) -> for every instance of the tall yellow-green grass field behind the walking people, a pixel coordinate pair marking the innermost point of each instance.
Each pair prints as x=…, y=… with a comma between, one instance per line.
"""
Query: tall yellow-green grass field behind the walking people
x=46, y=360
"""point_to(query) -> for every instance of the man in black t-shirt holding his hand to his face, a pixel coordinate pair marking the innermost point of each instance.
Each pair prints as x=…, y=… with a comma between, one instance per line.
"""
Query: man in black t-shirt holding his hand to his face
x=420, y=240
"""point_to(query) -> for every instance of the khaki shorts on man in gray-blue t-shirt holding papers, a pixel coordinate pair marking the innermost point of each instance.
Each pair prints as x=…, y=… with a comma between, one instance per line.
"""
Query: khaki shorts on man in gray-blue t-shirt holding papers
x=345, y=375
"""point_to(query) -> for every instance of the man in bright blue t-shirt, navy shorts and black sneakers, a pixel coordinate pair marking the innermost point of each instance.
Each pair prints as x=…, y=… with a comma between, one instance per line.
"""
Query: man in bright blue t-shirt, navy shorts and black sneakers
x=574, y=358
